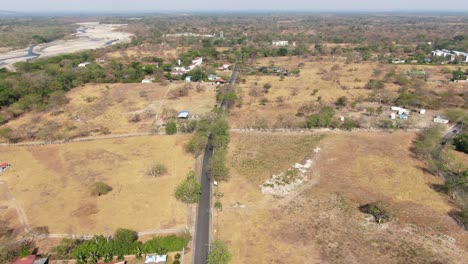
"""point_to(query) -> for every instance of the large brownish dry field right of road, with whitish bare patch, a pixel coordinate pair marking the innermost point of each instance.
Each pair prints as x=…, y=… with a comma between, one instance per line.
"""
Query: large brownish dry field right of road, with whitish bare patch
x=322, y=223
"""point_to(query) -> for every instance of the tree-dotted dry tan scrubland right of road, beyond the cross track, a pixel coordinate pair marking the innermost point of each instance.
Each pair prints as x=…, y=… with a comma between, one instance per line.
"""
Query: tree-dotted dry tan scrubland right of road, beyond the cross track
x=326, y=78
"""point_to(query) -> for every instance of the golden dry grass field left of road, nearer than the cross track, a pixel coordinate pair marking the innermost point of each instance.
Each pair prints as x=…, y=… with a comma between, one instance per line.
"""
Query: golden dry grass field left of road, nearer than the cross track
x=52, y=184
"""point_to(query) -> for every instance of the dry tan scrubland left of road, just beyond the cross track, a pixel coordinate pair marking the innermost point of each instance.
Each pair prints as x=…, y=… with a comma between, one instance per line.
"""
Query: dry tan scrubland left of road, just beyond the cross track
x=97, y=109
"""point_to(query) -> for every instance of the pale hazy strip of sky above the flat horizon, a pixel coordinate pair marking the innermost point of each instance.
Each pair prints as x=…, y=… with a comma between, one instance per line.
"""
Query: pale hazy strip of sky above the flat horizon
x=232, y=5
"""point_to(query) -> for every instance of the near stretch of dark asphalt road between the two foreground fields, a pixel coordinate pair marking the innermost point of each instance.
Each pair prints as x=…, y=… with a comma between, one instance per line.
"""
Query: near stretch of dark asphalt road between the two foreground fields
x=202, y=231
